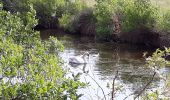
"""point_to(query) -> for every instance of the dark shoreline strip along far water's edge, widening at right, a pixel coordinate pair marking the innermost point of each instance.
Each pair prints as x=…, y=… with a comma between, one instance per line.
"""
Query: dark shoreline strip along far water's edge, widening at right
x=150, y=40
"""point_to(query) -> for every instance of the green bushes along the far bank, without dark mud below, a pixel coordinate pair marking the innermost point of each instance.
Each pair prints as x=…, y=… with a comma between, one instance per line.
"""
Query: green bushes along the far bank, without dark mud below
x=108, y=16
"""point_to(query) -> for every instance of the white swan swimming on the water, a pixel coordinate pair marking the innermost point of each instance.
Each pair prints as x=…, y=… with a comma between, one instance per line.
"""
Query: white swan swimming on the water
x=79, y=59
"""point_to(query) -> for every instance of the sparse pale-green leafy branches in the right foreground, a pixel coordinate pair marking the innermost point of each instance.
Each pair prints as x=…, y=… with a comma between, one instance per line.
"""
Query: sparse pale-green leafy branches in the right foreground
x=155, y=62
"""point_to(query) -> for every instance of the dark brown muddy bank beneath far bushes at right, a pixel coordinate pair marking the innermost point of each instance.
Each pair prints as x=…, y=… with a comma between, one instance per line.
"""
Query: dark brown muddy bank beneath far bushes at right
x=142, y=37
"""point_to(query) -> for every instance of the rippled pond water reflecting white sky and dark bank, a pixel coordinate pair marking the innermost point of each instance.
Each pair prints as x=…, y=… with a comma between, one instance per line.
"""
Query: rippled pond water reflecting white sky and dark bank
x=104, y=62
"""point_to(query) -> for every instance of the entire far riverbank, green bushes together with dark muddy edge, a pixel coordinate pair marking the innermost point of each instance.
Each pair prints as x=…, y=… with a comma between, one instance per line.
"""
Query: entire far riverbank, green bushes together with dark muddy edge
x=143, y=22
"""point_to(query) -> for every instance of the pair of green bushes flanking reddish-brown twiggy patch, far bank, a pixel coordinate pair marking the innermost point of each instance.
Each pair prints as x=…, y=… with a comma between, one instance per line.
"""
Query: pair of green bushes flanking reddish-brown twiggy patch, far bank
x=129, y=15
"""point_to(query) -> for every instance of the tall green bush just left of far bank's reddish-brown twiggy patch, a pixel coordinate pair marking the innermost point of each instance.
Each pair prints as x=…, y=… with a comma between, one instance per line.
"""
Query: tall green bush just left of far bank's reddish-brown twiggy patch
x=104, y=11
